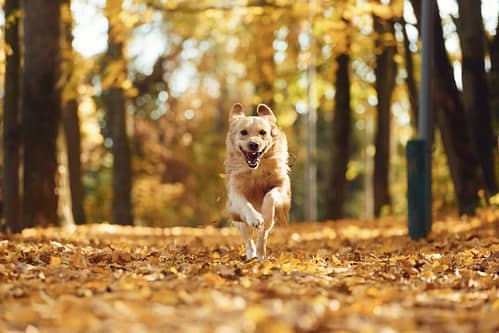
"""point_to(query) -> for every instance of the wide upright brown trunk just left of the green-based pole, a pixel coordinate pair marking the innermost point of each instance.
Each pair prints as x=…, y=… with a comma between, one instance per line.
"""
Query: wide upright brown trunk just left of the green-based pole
x=385, y=70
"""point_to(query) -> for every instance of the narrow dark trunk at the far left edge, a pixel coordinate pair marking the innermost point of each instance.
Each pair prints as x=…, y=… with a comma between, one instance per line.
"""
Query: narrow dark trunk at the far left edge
x=11, y=125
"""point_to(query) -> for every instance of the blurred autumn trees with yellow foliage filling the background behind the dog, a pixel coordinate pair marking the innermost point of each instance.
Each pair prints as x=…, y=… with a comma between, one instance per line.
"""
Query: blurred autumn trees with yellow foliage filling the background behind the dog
x=138, y=91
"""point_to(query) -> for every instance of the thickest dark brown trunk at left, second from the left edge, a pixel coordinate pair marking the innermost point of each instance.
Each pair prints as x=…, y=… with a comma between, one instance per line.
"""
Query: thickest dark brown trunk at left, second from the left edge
x=41, y=110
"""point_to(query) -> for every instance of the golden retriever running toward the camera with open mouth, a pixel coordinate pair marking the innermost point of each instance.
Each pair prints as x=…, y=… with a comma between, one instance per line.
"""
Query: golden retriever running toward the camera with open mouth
x=257, y=176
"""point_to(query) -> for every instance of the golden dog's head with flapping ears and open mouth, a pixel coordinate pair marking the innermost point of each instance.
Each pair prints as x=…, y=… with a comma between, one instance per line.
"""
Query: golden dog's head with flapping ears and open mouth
x=252, y=136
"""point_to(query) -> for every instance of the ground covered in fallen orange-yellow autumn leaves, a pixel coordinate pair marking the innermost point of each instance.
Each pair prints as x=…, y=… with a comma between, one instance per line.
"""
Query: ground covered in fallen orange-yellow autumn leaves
x=348, y=276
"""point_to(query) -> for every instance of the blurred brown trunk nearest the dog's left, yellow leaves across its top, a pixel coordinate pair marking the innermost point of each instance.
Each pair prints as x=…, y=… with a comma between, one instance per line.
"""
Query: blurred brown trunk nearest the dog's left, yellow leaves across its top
x=116, y=106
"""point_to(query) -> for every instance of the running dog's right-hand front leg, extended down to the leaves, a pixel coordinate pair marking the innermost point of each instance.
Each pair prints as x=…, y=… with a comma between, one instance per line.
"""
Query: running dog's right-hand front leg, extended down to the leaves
x=270, y=201
